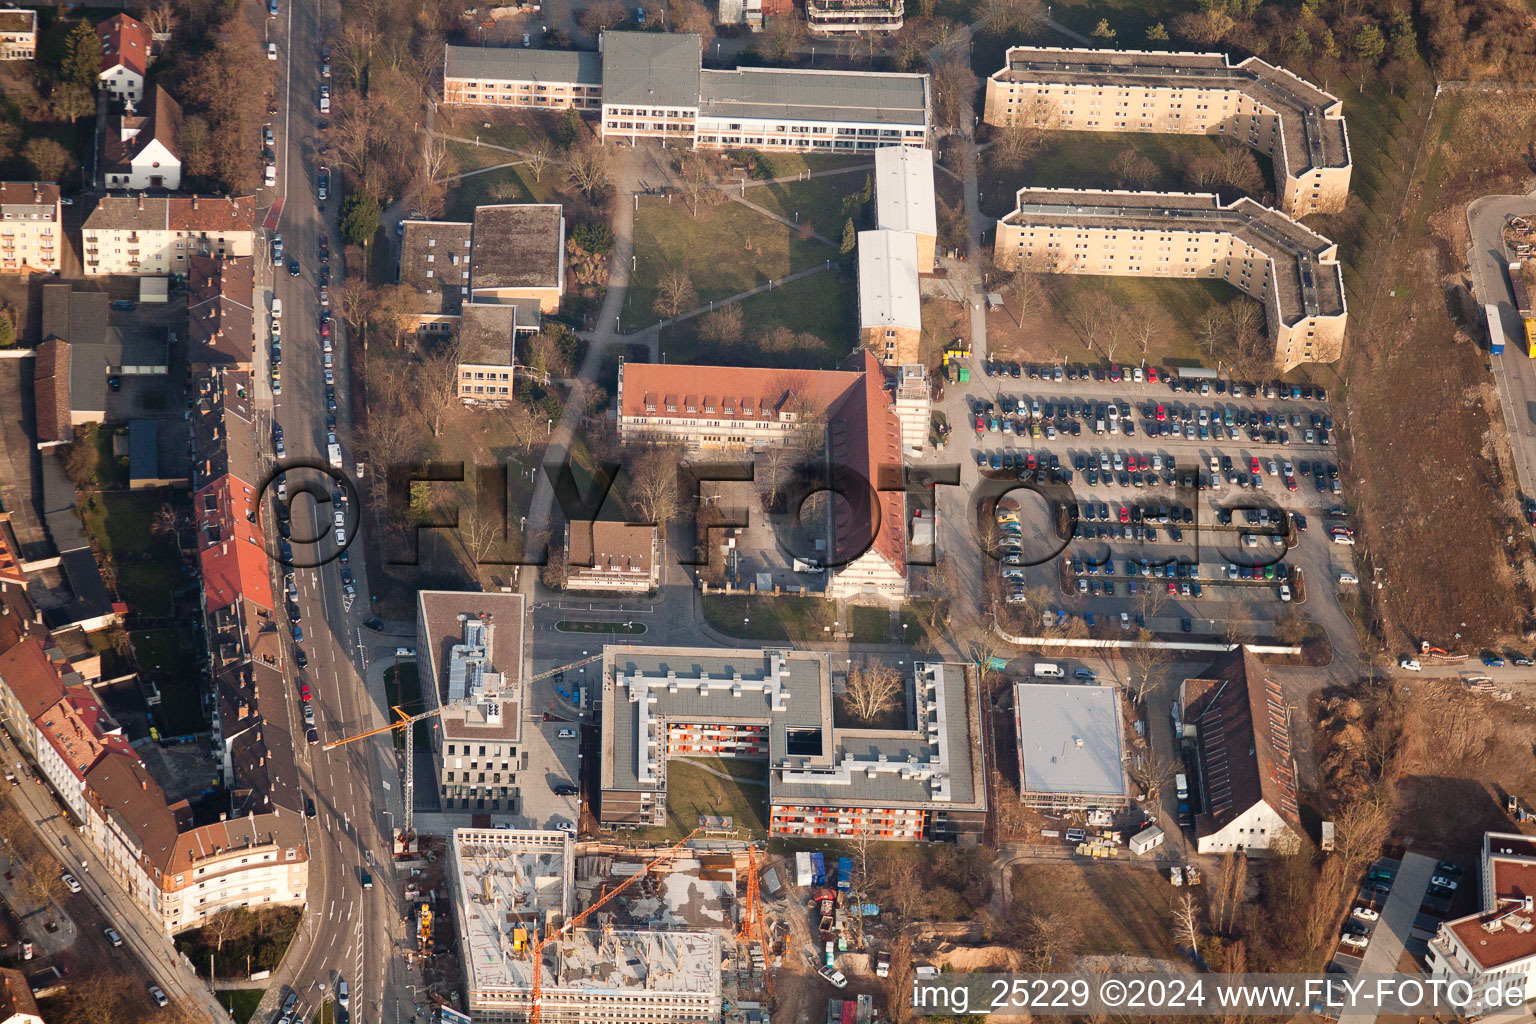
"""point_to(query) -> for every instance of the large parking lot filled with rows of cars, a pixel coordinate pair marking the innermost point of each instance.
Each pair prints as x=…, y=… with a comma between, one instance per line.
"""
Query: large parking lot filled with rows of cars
x=1171, y=504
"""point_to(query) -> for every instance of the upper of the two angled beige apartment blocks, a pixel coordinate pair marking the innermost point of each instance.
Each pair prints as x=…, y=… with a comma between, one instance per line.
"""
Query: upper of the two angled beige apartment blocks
x=1297, y=125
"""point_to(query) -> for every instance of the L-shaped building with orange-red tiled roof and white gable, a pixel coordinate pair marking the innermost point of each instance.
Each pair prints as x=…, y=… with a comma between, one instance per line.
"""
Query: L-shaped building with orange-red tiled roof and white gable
x=741, y=409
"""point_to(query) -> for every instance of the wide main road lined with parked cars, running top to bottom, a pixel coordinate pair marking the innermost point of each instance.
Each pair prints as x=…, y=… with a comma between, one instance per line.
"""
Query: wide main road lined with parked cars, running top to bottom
x=348, y=933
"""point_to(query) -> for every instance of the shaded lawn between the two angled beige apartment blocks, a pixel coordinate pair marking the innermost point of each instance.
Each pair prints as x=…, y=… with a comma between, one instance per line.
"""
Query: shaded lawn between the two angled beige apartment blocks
x=1084, y=160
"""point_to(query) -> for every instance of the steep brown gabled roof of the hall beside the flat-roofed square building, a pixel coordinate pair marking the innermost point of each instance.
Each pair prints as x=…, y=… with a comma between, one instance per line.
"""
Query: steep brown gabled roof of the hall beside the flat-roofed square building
x=1245, y=742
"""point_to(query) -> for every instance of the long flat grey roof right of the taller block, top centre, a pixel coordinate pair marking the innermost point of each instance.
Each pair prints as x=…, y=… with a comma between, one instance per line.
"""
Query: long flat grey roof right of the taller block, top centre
x=815, y=96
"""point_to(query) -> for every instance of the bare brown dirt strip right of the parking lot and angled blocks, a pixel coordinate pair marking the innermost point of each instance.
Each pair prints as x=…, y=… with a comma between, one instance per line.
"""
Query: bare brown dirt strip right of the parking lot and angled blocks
x=1422, y=432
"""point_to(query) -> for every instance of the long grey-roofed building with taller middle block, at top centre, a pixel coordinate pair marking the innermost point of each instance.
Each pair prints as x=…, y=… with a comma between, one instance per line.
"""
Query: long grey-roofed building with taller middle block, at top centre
x=652, y=85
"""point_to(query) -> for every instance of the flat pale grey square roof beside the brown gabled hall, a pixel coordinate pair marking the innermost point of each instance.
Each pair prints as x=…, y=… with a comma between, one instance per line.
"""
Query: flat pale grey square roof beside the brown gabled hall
x=1070, y=741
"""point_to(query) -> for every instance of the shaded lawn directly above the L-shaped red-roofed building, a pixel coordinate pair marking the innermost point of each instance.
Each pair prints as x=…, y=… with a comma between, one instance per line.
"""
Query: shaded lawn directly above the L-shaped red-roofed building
x=824, y=306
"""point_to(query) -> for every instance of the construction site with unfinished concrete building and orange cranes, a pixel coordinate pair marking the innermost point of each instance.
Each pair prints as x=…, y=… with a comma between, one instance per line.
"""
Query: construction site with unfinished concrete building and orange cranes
x=549, y=933
